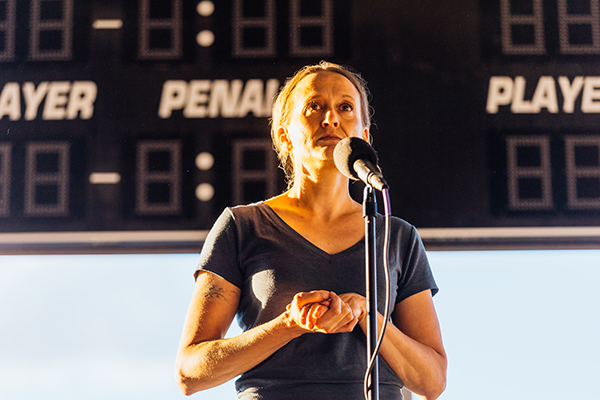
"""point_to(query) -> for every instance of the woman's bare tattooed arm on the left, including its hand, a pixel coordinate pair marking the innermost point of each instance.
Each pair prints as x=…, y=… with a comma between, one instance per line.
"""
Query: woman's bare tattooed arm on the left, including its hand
x=205, y=359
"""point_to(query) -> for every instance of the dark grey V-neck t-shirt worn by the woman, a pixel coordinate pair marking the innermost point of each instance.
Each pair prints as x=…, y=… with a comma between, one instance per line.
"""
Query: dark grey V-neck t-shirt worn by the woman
x=255, y=250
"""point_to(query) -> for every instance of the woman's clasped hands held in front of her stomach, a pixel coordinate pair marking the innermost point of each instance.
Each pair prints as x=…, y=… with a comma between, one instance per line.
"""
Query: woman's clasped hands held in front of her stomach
x=326, y=312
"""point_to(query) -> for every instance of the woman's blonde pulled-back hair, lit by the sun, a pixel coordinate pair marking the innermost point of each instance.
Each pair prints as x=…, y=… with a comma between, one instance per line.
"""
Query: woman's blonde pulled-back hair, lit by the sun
x=282, y=107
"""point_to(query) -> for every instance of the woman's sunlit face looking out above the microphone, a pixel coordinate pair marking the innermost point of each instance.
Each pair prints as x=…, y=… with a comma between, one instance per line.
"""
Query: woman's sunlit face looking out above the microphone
x=325, y=110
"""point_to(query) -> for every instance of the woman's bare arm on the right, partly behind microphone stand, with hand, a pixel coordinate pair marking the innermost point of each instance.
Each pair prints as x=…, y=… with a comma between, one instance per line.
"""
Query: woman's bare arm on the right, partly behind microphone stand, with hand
x=412, y=345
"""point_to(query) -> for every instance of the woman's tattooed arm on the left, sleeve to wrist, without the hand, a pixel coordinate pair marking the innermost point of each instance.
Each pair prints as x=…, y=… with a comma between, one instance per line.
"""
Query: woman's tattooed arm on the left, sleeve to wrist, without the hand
x=204, y=358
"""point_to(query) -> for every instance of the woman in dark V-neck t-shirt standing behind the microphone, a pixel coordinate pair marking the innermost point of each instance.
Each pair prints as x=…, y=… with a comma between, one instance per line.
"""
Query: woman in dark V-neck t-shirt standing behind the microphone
x=292, y=269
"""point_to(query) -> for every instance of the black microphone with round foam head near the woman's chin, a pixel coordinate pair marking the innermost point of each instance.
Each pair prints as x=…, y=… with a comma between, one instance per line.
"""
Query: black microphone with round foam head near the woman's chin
x=356, y=159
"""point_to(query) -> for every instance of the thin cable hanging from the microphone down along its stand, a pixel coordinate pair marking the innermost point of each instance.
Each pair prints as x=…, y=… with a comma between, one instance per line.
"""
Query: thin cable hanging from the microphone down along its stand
x=386, y=251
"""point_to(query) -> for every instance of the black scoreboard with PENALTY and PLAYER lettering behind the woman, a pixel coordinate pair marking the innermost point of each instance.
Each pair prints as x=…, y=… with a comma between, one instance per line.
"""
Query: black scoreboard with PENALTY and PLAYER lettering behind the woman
x=131, y=124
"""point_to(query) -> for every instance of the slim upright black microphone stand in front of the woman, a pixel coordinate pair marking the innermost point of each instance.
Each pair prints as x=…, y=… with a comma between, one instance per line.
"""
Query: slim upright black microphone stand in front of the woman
x=369, y=213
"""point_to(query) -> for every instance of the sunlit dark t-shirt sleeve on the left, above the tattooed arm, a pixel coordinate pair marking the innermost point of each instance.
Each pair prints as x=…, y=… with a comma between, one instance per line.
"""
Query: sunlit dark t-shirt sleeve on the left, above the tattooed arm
x=219, y=253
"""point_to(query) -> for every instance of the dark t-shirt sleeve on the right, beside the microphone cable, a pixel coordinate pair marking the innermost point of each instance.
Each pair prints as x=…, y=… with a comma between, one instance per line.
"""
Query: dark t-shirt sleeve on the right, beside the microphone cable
x=416, y=273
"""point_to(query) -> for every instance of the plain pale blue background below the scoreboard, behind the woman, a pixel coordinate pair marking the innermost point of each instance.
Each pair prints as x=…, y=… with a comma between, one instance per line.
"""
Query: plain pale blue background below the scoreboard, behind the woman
x=516, y=325
